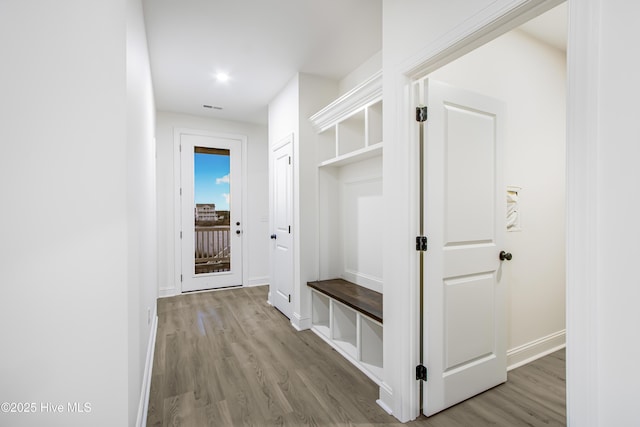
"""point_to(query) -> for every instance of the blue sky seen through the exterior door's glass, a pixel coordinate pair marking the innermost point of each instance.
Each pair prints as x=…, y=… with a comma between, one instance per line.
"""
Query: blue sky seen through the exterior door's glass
x=212, y=179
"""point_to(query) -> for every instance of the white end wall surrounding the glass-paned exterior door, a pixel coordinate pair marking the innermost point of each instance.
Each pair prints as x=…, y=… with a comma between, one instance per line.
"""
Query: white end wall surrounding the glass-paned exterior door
x=256, y=231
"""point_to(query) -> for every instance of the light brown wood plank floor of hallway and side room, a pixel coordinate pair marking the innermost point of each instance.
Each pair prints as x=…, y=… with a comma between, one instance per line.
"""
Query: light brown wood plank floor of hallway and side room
x=227, y=358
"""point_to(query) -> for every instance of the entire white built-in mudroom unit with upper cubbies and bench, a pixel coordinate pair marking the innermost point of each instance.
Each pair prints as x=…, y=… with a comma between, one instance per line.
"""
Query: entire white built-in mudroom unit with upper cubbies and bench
x=350, y=224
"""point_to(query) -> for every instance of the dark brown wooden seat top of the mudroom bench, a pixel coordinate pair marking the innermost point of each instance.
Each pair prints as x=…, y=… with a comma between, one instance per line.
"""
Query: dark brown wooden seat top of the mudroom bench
x=357, y=297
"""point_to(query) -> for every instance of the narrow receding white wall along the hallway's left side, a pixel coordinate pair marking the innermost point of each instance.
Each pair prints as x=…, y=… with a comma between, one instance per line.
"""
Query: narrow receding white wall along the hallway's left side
x=141, y=212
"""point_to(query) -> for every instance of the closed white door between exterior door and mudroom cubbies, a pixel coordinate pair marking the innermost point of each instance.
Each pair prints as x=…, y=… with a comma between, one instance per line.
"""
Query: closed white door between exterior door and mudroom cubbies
x=282, y=238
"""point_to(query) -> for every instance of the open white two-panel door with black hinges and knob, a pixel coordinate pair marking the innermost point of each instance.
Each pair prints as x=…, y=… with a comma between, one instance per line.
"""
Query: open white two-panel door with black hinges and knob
x=465, y=211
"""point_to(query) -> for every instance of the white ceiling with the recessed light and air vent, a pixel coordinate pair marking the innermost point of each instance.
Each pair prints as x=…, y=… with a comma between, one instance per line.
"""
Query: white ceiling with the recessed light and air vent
x=263, y=44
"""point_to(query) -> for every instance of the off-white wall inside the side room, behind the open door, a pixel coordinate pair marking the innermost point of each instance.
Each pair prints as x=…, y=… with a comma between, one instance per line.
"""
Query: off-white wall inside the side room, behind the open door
x=530, y=77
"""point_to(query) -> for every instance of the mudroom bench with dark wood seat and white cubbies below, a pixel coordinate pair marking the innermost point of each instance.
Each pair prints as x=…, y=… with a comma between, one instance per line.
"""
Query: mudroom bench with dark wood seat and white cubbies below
x=349, y=318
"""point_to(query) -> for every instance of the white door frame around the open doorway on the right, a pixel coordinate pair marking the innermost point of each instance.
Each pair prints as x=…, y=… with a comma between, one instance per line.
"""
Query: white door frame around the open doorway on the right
x=582, y=118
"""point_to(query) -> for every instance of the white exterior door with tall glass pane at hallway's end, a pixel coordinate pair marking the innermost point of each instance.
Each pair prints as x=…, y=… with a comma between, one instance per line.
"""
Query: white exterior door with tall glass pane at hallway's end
x=211, y=211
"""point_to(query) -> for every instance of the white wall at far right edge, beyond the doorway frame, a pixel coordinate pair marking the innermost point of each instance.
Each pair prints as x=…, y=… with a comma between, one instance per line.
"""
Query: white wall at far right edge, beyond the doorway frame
x=616, y=178
